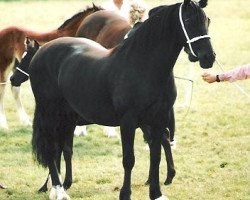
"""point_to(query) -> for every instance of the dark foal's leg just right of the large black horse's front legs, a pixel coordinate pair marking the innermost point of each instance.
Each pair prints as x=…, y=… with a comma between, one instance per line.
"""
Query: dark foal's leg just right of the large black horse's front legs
x=165, y=142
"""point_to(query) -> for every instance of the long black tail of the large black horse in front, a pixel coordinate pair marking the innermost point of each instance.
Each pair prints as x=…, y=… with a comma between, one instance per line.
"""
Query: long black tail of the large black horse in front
x=40, y=138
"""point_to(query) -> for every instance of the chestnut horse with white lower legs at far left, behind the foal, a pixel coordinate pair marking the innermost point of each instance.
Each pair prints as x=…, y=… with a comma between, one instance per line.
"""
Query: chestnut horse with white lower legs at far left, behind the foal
x=12, y=48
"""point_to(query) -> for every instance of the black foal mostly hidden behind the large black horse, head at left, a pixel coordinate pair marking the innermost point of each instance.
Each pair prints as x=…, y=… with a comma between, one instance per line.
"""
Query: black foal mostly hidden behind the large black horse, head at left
x=21, y=74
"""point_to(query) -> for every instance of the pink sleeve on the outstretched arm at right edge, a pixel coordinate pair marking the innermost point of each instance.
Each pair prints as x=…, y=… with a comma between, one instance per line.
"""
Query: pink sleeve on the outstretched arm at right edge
x=239, y=73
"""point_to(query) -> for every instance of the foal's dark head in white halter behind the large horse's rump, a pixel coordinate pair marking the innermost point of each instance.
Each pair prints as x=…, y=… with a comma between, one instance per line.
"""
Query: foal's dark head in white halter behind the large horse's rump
x=21, y=74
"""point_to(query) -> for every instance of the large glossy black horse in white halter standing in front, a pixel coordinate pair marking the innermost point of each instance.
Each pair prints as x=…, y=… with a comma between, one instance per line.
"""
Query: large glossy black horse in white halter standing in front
x=128, y=86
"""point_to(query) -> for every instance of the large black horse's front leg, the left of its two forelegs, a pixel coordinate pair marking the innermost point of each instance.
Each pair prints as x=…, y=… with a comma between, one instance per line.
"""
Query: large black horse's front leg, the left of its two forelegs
x=127, y=137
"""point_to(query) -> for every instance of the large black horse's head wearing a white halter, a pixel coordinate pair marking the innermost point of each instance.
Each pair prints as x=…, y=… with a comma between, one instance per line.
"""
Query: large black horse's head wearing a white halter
x=194, y=24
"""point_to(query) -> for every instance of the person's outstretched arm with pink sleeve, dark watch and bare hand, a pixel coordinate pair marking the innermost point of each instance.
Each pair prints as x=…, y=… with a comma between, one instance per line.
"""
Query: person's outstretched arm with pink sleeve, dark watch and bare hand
x=239, y=73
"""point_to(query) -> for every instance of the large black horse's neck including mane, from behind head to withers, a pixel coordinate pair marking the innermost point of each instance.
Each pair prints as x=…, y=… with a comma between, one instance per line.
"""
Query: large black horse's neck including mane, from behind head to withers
x=157, y=42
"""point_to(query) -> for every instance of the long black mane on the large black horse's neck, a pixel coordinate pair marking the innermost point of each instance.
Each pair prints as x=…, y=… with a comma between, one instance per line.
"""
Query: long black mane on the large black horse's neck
x=151, y=31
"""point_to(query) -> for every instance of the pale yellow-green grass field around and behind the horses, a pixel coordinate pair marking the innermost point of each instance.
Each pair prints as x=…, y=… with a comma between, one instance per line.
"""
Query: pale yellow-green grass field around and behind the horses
x=213, y=140
